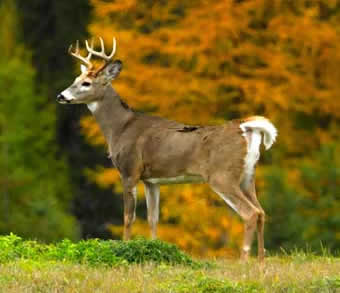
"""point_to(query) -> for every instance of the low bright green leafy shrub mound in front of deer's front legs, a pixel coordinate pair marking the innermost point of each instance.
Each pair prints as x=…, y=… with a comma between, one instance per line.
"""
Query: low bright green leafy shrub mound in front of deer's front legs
x=94, y=251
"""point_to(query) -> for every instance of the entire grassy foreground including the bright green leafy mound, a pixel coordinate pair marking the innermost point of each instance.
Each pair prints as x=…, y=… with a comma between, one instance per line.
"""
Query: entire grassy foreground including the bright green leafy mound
x=154, y=266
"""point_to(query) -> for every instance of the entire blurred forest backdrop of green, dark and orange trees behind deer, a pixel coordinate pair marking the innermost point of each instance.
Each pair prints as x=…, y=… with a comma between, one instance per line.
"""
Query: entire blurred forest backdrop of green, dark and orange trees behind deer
x=199, y=62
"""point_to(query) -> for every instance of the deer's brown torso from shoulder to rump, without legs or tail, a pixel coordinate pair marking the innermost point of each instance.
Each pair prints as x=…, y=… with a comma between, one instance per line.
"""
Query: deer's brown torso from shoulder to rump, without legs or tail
x=170, y=149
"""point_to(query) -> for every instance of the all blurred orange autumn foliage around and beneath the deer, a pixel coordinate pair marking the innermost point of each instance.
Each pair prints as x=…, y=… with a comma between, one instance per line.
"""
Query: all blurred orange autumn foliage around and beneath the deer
x=204, y=62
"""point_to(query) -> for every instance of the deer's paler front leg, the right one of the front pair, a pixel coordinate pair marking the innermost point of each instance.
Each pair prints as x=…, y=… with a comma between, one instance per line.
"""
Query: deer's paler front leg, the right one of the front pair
x=152, y=202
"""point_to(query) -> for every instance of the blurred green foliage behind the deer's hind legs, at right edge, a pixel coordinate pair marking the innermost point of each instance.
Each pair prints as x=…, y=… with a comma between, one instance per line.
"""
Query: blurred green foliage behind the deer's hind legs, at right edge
x=305, y=215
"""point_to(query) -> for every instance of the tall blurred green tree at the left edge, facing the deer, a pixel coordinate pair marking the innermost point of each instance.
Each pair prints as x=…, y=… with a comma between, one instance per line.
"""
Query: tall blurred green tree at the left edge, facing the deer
x=34, y=193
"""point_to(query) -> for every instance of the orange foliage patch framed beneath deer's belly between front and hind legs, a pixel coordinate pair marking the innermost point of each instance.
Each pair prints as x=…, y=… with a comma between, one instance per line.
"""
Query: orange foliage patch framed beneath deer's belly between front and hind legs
x=201, y=218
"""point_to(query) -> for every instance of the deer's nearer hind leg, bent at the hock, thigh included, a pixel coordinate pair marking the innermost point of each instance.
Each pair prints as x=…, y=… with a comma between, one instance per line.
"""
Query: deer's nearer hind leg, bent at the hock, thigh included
x=228, y=188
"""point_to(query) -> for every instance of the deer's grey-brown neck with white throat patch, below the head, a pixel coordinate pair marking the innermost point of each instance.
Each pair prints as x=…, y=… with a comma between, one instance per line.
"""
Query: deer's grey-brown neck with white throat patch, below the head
x=112, y=114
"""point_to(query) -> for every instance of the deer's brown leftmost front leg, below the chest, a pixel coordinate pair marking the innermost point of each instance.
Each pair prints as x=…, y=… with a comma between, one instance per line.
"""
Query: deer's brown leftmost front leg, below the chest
x=130, y=201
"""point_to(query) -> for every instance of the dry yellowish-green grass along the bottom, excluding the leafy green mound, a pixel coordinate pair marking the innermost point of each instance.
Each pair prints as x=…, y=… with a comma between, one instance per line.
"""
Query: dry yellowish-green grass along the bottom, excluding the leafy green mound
x=289, y=273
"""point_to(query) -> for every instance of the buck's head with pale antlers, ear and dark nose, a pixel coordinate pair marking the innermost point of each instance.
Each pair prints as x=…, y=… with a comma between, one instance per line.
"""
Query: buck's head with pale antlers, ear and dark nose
x=89, y=86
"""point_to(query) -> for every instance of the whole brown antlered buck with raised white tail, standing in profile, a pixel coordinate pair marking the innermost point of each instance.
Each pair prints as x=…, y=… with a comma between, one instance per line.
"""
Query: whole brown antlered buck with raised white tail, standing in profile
x=159, y=151
